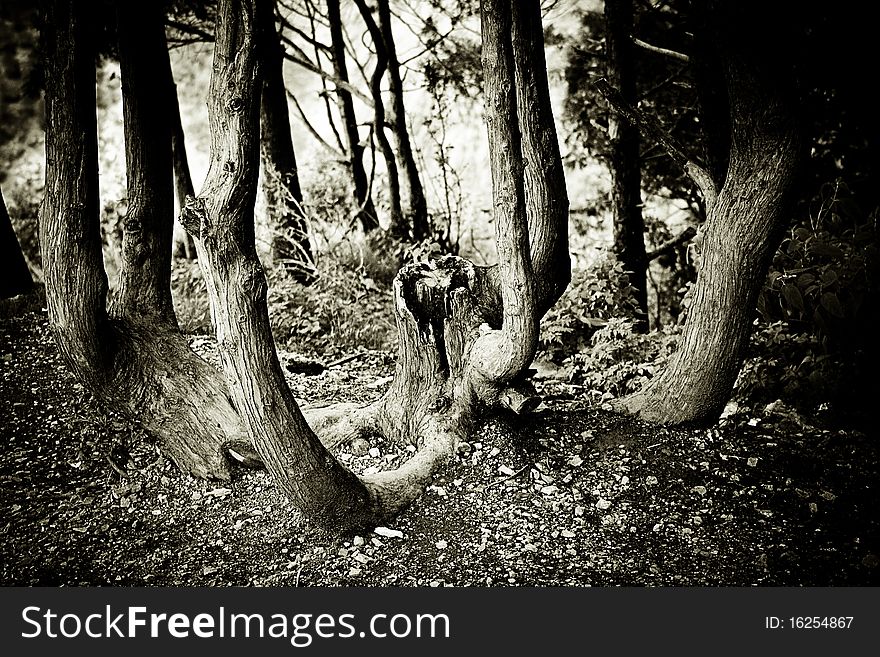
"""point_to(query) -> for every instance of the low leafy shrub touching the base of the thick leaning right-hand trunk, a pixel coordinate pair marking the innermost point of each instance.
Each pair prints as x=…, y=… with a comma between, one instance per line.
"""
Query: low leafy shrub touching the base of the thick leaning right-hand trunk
x=620, y=360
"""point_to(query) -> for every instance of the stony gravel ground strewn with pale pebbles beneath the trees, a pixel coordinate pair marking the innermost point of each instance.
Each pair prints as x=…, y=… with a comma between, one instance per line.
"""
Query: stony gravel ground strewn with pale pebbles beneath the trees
x=572, y=496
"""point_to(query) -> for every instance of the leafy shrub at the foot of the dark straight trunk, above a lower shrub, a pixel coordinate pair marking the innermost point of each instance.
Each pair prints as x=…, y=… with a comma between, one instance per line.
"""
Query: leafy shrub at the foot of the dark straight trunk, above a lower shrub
x=593, y=297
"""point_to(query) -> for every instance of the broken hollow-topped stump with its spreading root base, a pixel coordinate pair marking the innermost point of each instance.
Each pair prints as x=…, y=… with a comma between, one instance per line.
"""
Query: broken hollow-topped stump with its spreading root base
x=436, y=394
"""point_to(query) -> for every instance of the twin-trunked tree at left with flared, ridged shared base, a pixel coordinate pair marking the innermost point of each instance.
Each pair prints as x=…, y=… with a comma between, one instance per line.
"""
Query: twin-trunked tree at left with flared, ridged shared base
x=133, y=359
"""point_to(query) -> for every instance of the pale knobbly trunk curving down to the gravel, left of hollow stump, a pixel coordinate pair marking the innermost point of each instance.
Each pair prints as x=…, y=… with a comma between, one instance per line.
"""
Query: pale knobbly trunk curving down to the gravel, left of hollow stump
x=221, y=219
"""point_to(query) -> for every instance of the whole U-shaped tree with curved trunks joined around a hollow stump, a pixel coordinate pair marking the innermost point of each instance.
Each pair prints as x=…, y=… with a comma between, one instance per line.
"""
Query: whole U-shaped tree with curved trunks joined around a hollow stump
x=467, y=334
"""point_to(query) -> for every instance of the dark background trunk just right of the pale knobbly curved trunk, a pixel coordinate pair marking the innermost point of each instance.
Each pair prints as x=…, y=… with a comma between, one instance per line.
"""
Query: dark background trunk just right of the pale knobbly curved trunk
x=291, y=248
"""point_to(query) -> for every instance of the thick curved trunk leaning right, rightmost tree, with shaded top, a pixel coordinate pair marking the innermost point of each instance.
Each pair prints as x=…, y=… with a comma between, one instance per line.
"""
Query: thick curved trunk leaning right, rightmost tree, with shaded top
x=741, y=233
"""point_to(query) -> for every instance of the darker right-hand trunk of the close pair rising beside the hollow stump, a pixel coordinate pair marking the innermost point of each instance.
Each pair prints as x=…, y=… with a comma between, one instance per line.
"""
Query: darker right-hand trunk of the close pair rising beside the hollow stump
x=545, y=191
